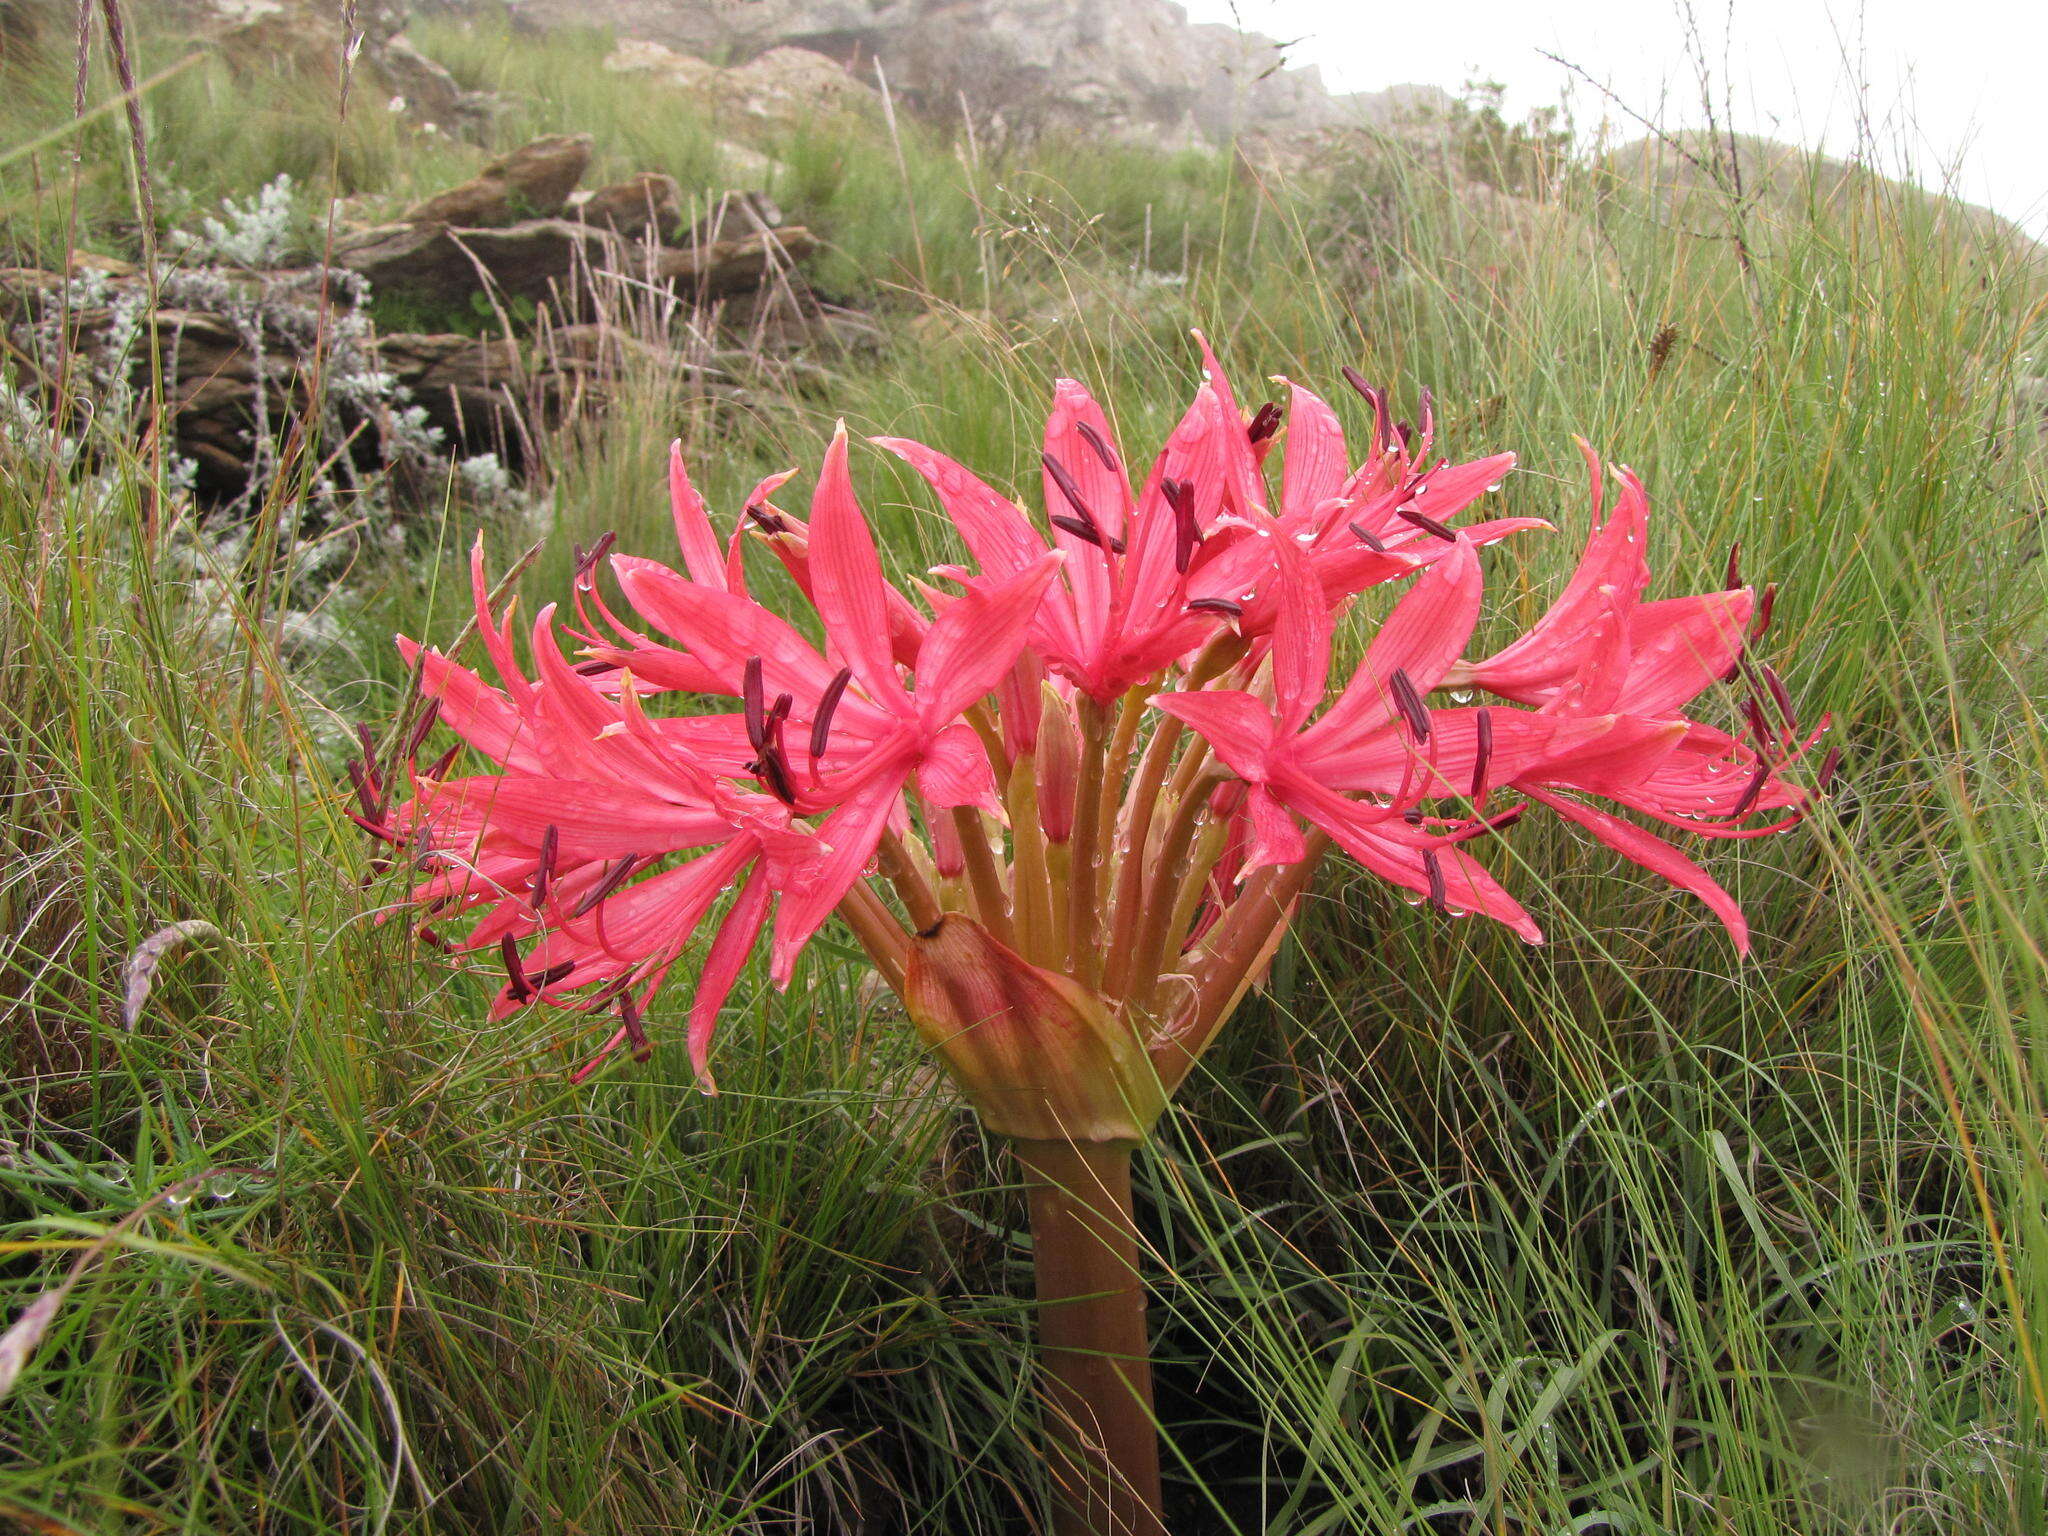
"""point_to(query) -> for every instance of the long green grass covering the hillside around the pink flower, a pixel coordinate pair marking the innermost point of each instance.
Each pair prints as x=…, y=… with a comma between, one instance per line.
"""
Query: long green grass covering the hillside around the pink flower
x=1615, y=1236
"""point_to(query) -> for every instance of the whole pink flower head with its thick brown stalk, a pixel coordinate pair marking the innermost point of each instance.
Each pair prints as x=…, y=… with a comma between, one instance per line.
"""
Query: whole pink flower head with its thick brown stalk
x=1068, y=796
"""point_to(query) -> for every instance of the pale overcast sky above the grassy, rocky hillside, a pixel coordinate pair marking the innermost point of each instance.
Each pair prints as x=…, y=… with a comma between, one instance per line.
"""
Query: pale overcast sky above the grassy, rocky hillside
x=1957, y=85
